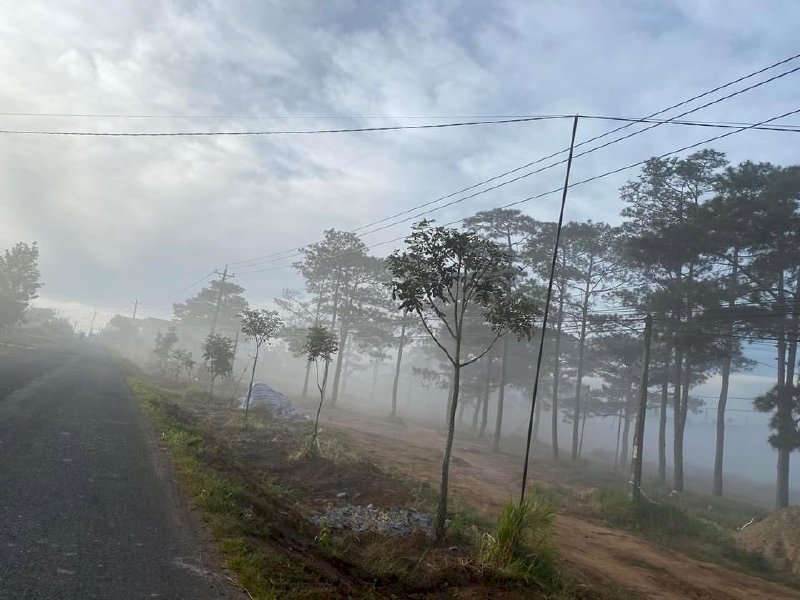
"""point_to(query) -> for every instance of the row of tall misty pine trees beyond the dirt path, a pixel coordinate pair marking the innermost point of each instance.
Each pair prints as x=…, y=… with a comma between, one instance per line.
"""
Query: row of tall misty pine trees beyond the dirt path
x=708, y=248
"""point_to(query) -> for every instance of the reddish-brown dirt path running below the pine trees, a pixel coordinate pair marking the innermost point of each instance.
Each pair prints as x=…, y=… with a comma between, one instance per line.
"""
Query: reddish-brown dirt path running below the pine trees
x=592, y=553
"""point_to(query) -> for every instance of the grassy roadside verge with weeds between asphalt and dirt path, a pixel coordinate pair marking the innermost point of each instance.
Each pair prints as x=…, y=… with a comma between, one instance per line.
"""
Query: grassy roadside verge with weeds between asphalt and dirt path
x=259, y=494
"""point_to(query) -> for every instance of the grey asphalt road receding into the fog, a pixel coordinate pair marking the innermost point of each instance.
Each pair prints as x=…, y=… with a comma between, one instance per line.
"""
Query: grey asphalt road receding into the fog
x=87, y=507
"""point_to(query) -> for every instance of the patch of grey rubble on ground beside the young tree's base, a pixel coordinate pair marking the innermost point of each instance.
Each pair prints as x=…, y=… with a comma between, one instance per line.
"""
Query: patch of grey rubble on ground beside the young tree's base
x=356, y=518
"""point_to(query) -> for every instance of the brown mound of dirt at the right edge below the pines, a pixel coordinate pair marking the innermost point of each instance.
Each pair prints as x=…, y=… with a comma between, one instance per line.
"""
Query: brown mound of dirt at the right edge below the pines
x=777, y=537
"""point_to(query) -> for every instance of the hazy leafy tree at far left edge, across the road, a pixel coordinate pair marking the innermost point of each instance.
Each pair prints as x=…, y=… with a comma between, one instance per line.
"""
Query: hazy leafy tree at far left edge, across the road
x=19, y=281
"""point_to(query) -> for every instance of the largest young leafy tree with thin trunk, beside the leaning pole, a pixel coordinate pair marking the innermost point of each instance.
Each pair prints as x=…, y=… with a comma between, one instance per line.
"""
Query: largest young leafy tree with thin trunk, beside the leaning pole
x=441, y=274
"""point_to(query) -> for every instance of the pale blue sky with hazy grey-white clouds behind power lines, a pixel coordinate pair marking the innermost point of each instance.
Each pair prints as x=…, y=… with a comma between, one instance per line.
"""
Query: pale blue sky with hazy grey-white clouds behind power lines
x=124, y=218
